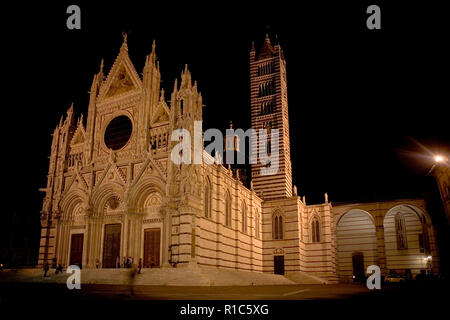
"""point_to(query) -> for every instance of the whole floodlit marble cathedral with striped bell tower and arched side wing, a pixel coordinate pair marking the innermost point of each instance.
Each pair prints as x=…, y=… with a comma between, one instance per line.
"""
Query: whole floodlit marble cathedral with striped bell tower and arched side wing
x=113, y=192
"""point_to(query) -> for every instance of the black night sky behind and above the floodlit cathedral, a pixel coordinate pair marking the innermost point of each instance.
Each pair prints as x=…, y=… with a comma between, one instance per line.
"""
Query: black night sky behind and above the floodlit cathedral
x=360, y=101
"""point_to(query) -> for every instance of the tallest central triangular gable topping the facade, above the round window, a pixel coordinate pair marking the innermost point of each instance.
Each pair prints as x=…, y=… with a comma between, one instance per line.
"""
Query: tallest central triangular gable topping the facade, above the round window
x=122, y=77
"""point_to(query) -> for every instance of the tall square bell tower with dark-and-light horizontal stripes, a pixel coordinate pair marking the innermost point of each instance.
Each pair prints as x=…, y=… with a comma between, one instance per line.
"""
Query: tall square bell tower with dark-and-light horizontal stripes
x=269, y=110
